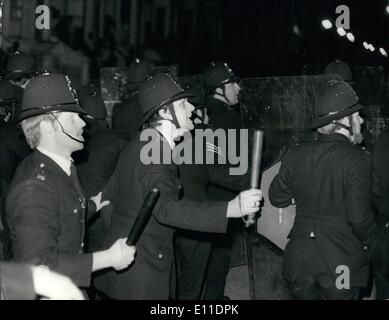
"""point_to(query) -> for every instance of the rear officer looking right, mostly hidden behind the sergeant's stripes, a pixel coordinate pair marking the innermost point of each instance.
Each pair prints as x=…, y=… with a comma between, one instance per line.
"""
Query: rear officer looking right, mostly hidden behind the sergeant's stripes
x=222, y=90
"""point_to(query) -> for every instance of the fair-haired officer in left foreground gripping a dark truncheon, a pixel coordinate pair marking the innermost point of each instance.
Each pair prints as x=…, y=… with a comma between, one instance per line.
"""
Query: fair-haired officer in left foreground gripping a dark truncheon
x=46, y=207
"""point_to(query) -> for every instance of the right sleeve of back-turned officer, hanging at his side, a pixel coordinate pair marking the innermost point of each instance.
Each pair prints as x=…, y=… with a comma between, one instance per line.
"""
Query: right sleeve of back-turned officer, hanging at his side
x=359, y=198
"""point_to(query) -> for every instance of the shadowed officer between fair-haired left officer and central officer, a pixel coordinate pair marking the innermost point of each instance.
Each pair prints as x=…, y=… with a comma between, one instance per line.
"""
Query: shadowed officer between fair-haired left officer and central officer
x=97, y=161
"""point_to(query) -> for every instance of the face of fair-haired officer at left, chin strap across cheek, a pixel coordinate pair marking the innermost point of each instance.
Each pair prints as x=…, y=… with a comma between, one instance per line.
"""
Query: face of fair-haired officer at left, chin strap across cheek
x=73, y=125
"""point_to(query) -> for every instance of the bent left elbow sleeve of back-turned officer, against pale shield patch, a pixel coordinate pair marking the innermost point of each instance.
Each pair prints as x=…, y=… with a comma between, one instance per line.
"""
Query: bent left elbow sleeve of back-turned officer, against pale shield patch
x=280, y=193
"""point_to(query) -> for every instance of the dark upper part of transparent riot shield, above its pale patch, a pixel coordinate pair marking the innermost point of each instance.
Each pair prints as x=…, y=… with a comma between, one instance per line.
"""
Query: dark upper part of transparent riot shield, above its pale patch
x=283, y=108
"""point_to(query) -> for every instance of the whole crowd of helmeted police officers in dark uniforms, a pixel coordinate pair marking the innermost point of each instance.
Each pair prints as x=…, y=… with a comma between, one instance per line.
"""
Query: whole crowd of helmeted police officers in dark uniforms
x=72, y=186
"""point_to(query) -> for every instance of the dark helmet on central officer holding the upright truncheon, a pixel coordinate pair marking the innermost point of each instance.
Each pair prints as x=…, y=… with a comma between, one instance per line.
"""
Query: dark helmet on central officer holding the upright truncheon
x=157, y=92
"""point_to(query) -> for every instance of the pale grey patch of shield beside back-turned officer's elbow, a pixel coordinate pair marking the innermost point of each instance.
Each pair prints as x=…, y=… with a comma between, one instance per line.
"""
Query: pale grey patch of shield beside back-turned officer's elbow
x=274, y=223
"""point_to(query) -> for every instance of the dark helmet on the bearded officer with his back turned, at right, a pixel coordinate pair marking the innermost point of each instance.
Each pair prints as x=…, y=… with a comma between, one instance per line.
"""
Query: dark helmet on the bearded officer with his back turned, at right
x=335, y=100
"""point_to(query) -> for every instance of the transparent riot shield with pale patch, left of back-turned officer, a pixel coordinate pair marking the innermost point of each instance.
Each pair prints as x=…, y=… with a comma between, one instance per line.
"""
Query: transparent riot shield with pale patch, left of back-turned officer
x=282, y=107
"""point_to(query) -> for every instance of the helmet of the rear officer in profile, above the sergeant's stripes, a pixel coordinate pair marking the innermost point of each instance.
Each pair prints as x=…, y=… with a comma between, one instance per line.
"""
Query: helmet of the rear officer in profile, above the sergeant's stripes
x=218, y=74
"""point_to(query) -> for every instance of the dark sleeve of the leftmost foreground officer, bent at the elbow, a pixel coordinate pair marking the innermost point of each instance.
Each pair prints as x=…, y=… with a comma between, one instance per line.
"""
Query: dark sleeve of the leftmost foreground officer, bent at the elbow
x=33, y=218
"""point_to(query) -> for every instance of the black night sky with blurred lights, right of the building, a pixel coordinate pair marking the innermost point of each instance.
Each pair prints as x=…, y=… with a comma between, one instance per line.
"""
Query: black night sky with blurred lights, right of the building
x=258, y=37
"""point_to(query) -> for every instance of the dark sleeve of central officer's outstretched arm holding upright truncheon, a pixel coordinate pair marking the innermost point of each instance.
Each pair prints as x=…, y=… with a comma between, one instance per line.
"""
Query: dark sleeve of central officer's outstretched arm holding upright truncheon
x=208, y=216
